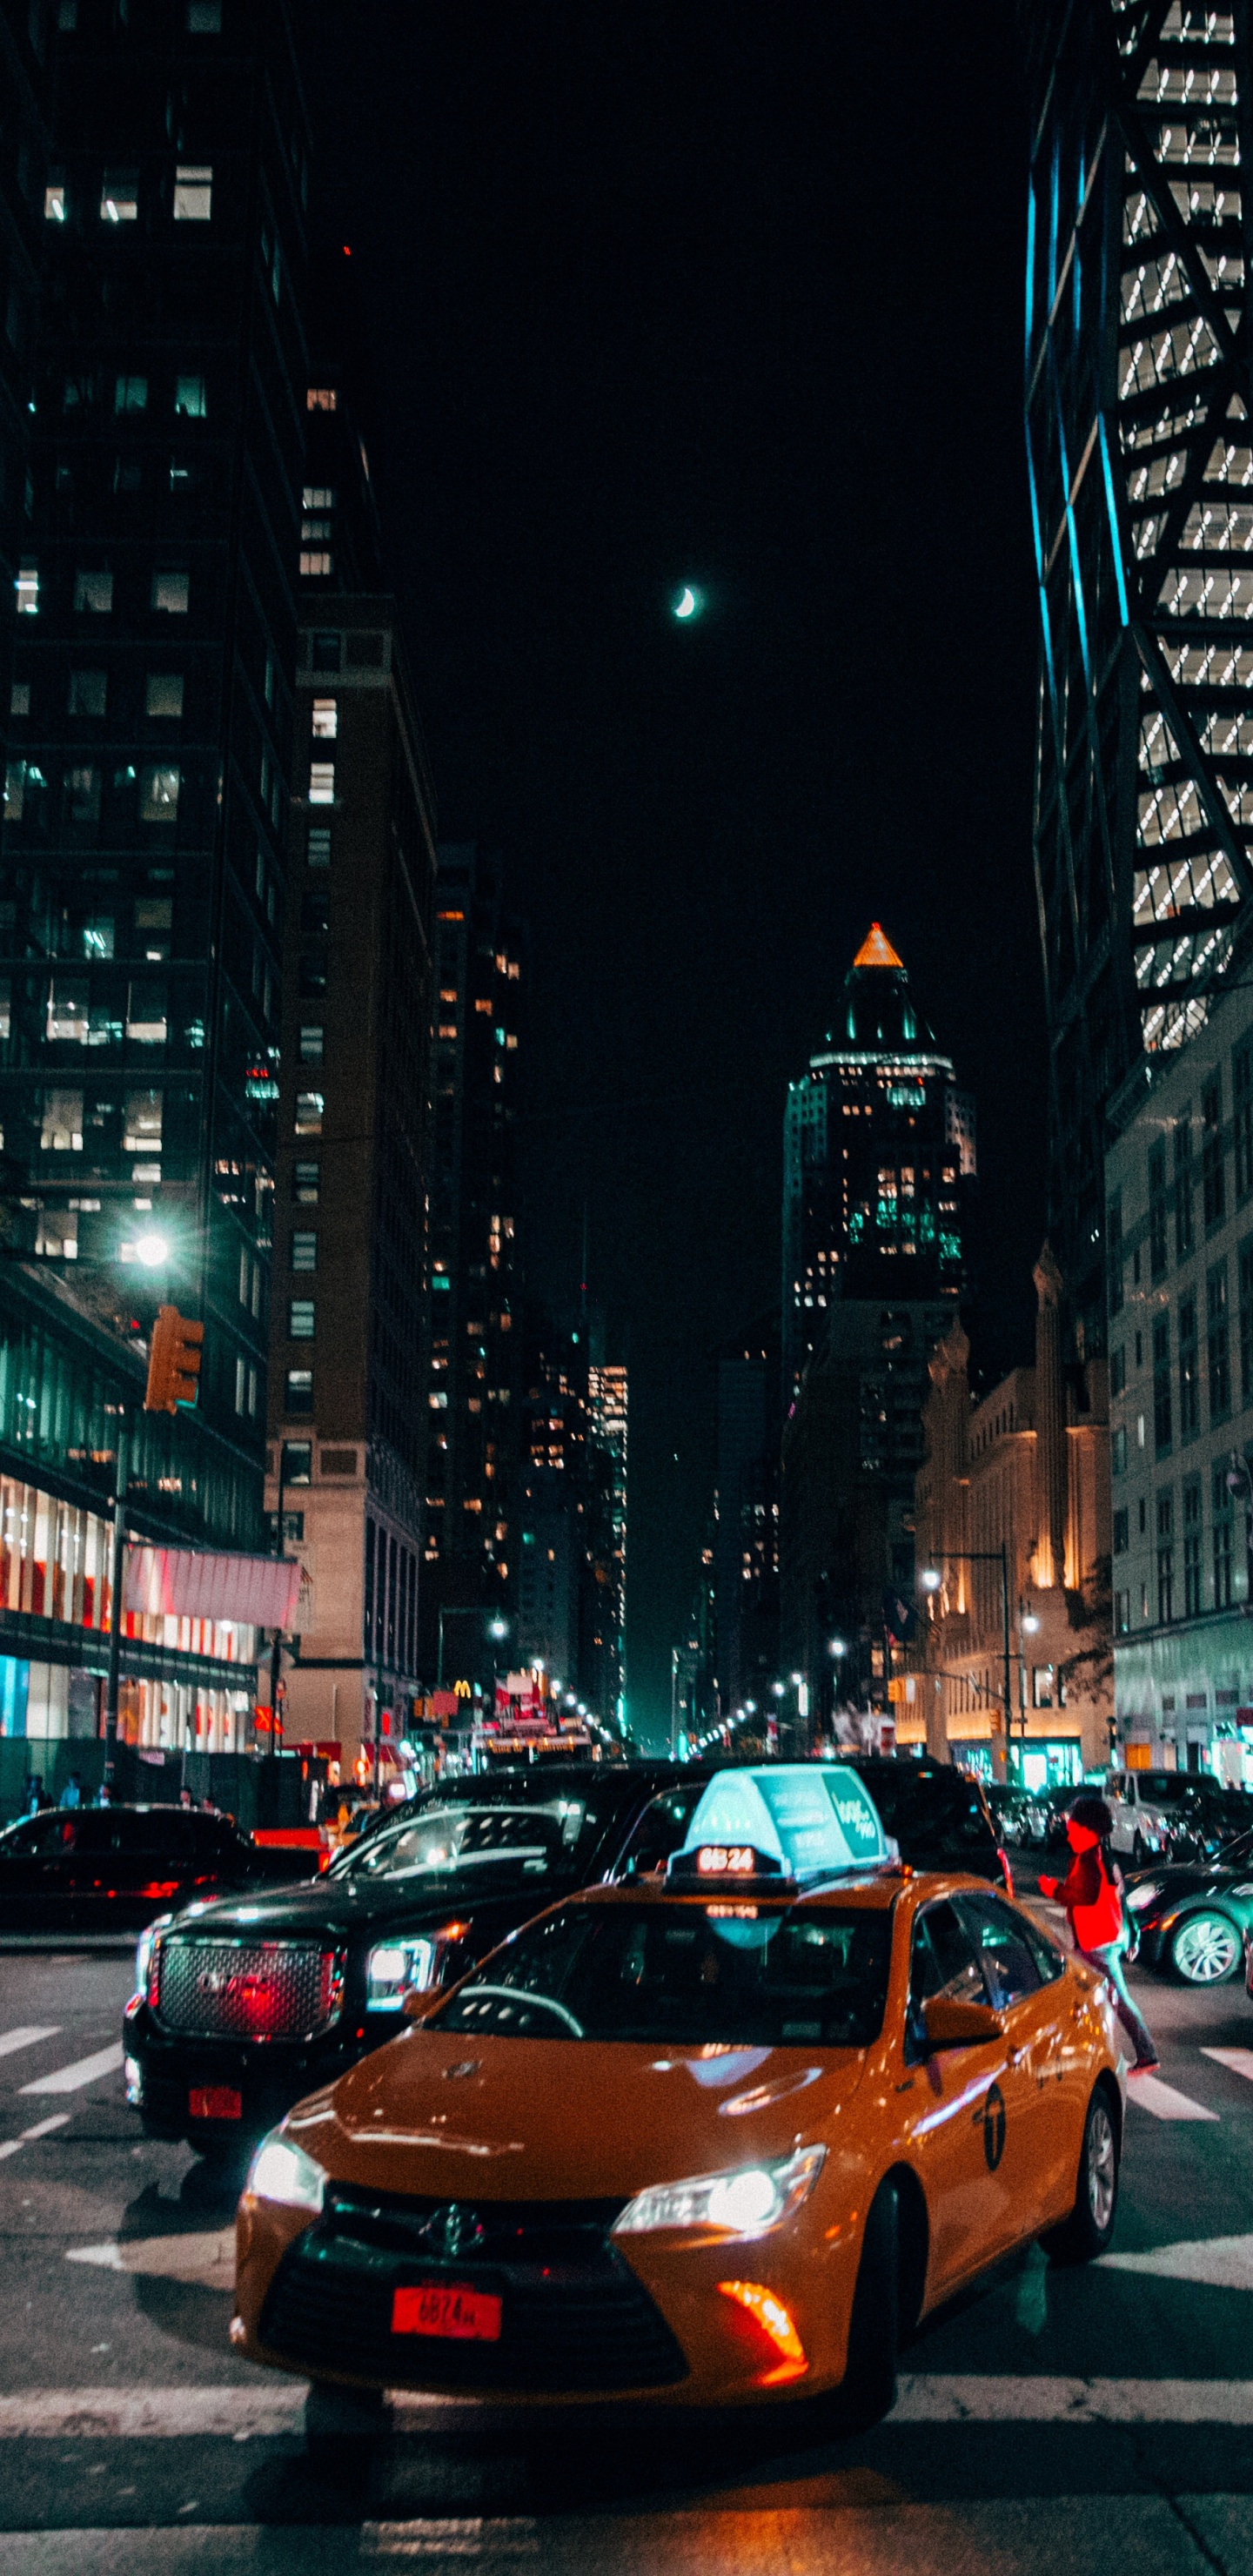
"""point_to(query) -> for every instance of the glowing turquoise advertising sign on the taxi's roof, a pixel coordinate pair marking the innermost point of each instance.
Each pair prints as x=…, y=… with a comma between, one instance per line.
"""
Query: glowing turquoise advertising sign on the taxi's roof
x=788, y=1820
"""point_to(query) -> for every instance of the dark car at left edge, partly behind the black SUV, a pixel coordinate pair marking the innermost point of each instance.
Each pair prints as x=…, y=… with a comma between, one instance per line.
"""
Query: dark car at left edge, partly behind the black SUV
x=115, y=1869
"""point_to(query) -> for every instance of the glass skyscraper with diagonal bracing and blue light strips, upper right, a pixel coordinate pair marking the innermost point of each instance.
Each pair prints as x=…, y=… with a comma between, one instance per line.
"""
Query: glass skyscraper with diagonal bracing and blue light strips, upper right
x=1141, y=457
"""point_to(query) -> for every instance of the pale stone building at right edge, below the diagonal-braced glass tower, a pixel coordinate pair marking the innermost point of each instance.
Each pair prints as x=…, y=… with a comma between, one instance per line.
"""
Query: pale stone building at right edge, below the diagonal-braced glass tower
x=1180, y=1181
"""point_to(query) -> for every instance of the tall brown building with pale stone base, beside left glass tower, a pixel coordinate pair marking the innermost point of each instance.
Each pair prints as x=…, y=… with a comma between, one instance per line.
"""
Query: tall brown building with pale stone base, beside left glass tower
x=349, y=1222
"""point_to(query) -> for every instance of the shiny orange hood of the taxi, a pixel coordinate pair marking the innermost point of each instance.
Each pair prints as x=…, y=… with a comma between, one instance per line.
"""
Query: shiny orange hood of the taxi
x=450, y=2119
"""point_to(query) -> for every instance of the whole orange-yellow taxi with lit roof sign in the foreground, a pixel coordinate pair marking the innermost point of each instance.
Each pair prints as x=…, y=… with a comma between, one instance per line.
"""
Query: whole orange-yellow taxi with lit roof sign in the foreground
x=697, y=2142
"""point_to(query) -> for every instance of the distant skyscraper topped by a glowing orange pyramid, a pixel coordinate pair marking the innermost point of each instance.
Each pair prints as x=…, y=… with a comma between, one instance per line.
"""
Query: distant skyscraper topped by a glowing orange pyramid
x=878, y=1158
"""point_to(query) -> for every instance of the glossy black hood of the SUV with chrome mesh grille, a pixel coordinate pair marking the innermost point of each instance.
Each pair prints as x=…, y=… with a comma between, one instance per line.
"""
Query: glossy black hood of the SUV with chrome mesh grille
x=357, y=1905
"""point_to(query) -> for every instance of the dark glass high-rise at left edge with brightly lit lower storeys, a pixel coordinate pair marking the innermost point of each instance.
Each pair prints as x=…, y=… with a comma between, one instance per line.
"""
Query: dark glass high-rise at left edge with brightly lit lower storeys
x=146, y=826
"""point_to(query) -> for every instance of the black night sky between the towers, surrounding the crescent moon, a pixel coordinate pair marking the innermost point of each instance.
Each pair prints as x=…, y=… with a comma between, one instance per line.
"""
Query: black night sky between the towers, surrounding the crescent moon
x=723, y=295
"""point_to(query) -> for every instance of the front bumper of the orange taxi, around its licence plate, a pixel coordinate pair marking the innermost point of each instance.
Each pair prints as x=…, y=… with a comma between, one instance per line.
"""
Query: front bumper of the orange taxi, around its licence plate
x=584, y=2315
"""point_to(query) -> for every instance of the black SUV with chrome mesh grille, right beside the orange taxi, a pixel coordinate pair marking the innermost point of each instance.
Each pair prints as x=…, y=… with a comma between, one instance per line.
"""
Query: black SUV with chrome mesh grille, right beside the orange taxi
x=246, y=2005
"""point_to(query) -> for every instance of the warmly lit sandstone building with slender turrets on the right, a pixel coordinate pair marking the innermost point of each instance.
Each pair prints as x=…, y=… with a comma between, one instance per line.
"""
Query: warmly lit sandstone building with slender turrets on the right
x=1012, y=1529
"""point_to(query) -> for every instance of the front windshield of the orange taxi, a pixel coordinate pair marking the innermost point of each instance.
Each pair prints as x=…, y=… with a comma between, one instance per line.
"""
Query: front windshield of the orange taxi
x=690, y=1975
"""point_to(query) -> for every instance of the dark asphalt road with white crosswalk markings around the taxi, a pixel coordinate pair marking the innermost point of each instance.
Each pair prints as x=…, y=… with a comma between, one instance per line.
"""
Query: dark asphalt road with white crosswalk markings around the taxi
x=1056, y=2418
